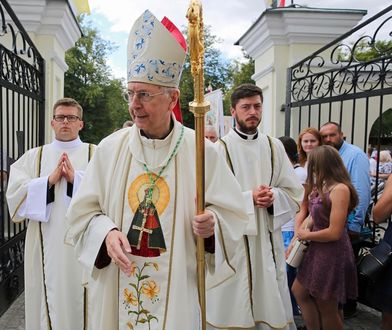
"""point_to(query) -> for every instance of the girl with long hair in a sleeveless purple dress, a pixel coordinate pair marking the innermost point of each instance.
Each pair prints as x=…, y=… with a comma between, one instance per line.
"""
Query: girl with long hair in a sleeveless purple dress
x=327, y=274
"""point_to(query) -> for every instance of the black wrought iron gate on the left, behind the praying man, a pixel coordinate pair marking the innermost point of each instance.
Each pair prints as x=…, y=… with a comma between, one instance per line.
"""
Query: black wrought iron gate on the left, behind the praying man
x=21, y=128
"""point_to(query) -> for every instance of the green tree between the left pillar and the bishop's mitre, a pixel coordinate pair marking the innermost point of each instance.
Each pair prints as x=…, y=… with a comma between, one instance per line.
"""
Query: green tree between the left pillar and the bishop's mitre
x=88, y=80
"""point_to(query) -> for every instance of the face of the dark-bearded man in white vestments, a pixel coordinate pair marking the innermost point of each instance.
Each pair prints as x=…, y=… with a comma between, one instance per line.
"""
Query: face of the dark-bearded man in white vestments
x=247, y=114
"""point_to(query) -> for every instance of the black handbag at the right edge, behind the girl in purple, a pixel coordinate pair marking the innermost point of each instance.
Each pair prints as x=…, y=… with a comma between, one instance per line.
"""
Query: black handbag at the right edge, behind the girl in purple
x=372, y=262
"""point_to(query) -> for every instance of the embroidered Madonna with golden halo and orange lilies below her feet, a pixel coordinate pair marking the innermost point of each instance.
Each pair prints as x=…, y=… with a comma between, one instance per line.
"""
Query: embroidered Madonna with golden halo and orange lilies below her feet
x=146, y=238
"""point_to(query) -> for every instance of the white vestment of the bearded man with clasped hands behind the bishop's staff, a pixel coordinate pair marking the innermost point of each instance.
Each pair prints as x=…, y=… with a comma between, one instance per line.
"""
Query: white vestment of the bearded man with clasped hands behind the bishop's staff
x=262, y=271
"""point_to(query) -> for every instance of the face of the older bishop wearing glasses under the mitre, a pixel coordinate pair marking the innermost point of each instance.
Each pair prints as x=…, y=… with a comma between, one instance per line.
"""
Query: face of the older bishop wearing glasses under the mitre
x=152, y=114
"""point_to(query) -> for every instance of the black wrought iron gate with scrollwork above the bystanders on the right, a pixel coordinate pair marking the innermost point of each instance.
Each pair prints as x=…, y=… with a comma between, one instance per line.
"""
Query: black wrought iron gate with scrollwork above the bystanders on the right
x=348, y=81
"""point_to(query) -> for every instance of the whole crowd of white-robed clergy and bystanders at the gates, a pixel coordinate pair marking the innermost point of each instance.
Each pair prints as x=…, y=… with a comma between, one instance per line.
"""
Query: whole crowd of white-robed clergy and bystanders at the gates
x=110, y=242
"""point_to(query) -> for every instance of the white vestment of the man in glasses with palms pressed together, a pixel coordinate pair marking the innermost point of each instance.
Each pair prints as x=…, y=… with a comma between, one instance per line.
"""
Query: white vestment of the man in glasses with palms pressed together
x=57, y=266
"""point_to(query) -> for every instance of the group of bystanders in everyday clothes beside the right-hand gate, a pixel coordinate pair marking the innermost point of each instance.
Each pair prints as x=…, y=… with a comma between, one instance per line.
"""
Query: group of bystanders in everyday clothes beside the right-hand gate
x=337, y=196
